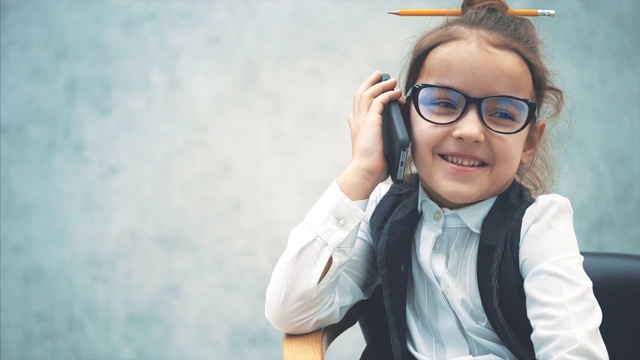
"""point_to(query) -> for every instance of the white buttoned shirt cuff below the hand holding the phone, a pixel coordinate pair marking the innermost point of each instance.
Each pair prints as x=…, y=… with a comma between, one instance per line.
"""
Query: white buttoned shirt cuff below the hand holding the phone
x=335, y=218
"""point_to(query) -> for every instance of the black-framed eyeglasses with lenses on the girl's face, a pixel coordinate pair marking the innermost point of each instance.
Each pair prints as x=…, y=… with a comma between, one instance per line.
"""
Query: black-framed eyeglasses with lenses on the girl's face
x=500, y=113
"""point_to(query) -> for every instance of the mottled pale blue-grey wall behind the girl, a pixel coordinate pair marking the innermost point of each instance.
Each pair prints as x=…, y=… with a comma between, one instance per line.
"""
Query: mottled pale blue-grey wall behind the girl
x=155, y=155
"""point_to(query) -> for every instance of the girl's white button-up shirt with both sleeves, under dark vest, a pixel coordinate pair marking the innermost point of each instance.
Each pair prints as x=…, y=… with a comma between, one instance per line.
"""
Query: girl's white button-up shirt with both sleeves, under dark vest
x=445, y=317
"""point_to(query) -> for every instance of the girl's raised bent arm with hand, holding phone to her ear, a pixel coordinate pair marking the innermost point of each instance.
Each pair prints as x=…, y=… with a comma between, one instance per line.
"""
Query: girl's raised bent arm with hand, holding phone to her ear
x=329, y=263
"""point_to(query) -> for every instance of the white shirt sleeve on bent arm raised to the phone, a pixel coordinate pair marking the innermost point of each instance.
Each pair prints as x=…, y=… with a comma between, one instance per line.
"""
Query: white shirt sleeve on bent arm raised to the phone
x=335, y=228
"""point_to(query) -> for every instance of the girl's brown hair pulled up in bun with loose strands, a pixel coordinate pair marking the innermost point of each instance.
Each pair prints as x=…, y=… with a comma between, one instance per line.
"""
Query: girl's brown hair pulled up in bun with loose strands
x=487, y=20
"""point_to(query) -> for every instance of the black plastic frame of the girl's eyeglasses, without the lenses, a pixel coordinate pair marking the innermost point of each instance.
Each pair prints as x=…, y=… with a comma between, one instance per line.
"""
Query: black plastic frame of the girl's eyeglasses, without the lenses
x=415, y=91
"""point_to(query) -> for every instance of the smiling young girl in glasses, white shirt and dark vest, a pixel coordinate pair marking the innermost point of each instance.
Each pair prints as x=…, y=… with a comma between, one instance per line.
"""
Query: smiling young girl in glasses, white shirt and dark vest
x=463, y=261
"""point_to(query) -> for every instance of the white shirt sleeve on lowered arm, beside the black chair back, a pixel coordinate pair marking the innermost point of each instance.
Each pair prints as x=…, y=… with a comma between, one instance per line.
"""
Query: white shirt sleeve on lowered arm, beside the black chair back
x=561, y=306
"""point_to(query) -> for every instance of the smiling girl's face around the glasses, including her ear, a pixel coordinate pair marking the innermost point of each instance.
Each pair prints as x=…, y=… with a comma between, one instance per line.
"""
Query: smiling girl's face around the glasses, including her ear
x=463, y=163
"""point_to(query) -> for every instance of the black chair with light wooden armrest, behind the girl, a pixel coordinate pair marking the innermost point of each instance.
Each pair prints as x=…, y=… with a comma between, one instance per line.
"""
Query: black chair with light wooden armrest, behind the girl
x=616, y=285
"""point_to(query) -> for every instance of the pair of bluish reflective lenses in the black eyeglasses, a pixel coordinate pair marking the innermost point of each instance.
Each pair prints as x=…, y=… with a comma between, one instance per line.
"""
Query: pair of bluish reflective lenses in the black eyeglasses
x=443, y=106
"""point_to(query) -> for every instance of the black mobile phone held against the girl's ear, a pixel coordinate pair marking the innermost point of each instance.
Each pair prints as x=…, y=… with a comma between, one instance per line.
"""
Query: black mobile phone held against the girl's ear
x=395, y=139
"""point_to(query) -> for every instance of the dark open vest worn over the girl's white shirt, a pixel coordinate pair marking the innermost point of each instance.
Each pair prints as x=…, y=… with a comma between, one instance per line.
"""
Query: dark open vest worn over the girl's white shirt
x=500, y=283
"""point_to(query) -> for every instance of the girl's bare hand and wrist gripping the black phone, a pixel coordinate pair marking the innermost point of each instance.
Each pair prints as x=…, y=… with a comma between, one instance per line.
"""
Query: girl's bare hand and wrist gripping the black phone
x=368, y=167
